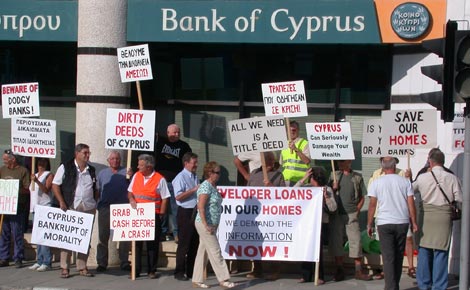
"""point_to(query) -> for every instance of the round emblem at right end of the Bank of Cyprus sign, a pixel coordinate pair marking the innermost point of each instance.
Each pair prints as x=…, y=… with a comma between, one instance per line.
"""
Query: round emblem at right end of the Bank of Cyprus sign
x=410, y=20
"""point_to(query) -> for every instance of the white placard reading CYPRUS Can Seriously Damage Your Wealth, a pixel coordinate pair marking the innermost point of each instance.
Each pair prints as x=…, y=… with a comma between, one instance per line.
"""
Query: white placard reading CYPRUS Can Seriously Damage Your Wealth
x=330, y=141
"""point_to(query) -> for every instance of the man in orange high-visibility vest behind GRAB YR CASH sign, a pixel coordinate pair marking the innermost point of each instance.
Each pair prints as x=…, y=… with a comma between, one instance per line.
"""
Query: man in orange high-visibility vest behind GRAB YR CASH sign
x=149, y=186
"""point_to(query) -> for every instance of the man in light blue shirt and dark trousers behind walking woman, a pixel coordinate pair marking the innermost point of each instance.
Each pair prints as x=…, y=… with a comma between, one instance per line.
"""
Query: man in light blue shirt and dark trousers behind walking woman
x=185, y=186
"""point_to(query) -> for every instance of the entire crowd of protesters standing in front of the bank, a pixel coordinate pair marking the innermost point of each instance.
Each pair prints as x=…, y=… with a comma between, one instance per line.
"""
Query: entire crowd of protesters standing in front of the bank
x=187, y=210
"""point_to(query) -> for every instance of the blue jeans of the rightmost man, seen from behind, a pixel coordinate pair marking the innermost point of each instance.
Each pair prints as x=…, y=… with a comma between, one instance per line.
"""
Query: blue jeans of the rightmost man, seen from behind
x=431, y=272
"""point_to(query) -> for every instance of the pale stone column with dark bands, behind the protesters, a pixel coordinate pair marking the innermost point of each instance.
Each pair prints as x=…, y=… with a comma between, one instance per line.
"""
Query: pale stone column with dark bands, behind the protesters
x=101, y=29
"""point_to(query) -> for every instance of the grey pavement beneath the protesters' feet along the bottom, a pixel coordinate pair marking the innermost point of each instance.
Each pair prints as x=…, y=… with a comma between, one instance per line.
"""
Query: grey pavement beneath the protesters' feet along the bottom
x=115, y=279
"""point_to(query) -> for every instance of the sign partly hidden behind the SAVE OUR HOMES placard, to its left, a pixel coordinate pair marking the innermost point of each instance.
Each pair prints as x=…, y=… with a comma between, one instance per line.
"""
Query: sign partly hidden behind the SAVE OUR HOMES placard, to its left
x=372, y=141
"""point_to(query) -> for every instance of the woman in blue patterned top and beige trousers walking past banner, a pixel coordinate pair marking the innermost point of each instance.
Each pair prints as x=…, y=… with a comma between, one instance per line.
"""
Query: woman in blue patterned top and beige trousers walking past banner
x=209, y=201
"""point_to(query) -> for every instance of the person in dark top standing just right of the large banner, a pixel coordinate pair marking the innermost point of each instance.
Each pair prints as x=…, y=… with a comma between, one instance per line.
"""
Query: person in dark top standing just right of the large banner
x=350, y=189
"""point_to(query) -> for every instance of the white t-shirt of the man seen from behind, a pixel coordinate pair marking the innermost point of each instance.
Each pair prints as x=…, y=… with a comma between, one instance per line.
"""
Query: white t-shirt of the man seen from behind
x=391, y=191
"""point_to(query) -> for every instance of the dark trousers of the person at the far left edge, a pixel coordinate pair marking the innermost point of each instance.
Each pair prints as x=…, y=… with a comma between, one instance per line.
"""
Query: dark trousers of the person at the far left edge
x=12, y=225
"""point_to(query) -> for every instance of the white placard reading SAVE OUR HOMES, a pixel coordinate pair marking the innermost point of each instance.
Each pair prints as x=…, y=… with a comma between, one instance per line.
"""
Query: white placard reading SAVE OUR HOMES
x=409, y=129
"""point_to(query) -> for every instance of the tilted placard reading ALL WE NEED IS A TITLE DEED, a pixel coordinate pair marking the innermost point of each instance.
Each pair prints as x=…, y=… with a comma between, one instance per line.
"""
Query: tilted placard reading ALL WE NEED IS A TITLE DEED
x=259, y=134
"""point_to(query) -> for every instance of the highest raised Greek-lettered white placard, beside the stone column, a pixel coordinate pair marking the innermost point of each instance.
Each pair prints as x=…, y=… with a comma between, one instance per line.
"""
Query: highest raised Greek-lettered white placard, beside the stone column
x=134, y=63
